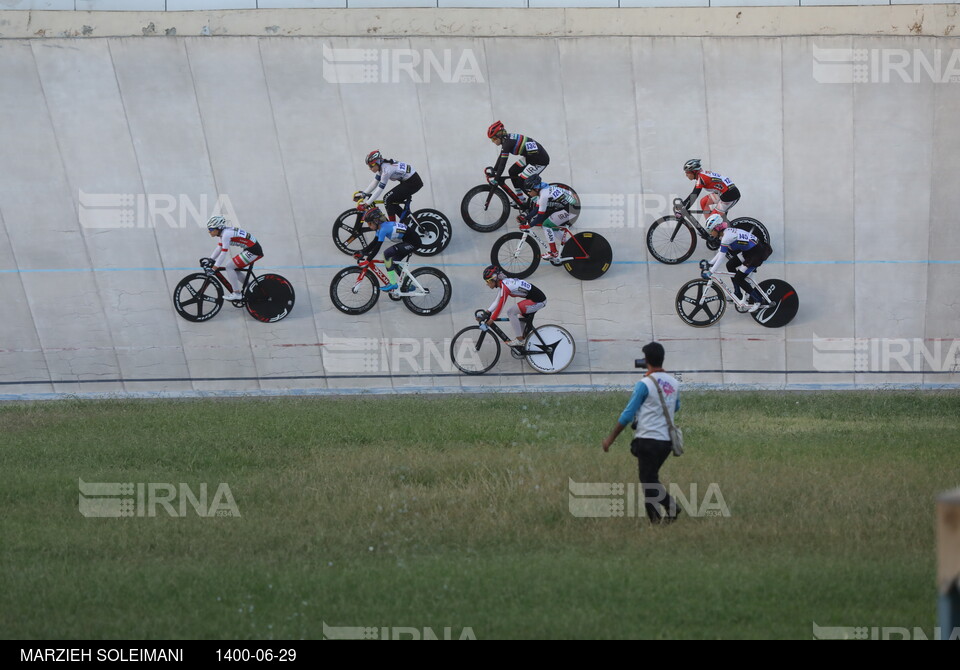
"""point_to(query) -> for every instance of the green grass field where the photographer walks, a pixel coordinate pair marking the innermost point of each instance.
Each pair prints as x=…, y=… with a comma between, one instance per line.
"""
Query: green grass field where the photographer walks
x=453, y=512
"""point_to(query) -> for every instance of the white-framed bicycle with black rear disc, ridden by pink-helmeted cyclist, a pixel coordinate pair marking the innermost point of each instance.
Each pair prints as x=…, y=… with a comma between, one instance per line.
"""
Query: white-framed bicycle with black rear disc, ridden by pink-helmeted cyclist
x=702, y=302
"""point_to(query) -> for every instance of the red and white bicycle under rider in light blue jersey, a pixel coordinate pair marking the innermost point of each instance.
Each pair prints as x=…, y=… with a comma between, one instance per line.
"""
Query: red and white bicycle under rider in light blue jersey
x=355, y=290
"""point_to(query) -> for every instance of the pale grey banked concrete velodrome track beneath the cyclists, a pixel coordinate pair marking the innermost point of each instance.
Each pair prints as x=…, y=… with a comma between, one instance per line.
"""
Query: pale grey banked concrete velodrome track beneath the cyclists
x=856, y=182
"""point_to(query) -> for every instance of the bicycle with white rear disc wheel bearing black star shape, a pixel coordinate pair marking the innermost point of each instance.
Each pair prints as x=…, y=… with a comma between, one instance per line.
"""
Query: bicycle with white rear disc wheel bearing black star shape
x=476, y=349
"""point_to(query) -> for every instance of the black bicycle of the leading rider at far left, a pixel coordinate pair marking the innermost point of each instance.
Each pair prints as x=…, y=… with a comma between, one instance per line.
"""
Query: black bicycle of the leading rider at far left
x=199, y=296
